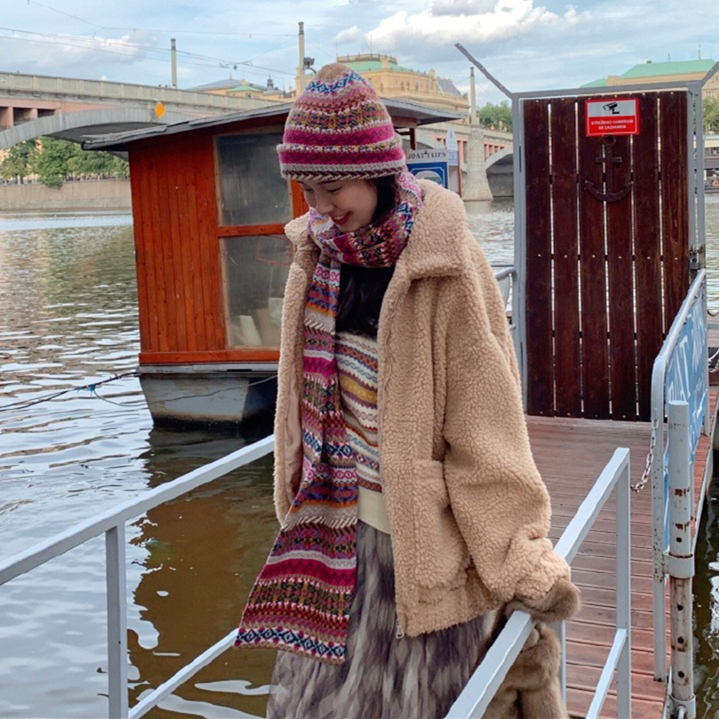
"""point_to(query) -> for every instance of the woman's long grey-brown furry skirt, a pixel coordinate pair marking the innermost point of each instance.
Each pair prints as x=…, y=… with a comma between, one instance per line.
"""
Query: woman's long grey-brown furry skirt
x=384, y=676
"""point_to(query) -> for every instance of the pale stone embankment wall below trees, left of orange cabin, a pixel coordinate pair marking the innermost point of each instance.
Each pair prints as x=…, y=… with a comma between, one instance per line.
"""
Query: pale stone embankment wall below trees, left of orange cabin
x=70, y=197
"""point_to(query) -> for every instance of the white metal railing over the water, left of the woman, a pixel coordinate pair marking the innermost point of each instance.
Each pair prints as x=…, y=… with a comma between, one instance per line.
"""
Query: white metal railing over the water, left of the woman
x=112, y=525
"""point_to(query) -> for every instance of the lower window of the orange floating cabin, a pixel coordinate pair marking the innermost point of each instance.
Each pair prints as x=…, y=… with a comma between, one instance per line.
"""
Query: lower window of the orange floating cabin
x=255, y=271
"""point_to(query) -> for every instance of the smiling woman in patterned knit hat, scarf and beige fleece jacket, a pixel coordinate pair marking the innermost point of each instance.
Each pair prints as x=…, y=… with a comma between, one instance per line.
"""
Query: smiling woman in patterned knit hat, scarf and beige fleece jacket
x=410, y=505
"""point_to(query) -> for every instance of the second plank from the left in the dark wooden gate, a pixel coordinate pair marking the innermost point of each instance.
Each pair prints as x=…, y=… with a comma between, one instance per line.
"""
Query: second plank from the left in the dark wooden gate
x=566, y=259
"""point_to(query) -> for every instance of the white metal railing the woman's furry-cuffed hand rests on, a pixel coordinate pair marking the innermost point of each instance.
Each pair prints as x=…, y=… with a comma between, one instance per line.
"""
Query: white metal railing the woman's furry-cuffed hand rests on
x=484, y=683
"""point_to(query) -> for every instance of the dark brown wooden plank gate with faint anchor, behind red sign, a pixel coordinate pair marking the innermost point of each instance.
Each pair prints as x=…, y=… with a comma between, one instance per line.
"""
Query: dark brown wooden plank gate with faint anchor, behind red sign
x=607, y=254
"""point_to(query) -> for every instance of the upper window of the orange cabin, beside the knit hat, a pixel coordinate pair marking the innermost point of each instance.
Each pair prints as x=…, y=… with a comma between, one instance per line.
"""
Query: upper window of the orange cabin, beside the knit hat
x=252, y=191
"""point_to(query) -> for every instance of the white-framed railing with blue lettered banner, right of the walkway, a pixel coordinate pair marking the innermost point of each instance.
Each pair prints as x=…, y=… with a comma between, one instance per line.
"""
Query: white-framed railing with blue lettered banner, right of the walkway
x=681, y=372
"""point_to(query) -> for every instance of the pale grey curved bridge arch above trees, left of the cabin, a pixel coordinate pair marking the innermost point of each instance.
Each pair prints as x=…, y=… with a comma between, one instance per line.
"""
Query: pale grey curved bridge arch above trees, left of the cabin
x=78, y=126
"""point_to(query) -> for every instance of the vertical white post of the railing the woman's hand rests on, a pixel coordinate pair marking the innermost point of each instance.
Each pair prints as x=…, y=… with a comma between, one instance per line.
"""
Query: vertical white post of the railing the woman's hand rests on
x=624, y=592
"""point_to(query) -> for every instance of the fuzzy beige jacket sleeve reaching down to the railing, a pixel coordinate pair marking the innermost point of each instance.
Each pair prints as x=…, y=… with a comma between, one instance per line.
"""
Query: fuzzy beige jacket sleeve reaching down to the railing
x=498, y=498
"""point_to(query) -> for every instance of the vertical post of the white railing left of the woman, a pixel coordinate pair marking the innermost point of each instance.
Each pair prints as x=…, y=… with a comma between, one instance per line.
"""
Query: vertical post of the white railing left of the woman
x=116, y=622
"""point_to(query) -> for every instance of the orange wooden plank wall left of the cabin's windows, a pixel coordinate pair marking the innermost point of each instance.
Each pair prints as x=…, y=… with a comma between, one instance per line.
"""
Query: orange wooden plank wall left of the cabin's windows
x=177, y=253
